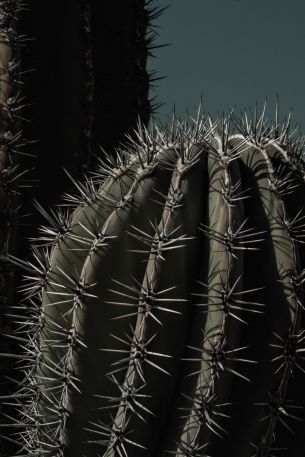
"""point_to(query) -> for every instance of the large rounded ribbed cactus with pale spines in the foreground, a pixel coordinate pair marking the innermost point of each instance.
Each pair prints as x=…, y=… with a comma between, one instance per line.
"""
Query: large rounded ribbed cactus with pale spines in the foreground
x=166, y=308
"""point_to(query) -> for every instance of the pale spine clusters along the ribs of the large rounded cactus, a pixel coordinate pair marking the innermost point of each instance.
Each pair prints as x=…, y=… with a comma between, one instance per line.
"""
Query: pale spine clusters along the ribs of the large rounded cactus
x=223, y=296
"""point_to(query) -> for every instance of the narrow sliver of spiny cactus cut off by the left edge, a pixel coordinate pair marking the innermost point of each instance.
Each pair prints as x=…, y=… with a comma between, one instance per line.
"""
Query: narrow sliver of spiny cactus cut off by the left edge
x=12, y=181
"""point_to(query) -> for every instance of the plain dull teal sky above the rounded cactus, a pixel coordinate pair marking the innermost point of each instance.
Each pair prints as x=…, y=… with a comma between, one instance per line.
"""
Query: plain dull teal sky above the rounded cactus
x=233, y=53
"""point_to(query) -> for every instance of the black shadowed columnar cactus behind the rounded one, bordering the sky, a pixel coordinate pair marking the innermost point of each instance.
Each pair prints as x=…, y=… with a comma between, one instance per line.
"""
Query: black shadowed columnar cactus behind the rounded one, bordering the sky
x=95, y=62
